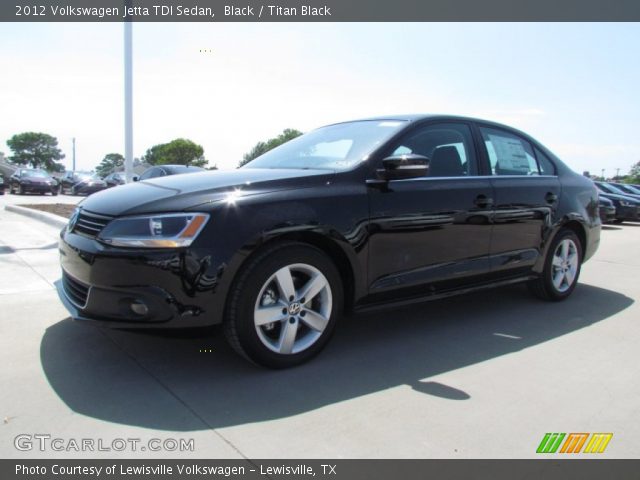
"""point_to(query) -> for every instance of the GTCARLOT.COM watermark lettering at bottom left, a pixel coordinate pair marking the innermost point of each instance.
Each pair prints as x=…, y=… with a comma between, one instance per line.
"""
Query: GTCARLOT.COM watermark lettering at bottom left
x=43, y=442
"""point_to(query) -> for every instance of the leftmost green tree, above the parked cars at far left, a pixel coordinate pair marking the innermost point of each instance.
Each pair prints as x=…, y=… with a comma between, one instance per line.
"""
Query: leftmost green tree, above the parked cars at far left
x=36, y=149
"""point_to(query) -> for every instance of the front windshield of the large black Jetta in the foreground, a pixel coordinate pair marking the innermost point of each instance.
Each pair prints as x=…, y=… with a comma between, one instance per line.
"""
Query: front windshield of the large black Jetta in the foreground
x=335, y=147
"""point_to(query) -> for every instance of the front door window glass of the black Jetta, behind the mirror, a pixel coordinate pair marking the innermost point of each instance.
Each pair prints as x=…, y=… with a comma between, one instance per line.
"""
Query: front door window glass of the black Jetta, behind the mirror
x=448, y=148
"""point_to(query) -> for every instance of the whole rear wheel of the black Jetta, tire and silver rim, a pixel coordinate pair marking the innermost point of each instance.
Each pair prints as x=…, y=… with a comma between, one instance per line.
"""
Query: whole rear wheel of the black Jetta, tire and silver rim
x=561, y=268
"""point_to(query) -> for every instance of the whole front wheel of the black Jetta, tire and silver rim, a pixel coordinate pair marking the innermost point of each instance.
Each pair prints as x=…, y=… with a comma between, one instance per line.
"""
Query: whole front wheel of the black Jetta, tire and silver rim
x=274, y=283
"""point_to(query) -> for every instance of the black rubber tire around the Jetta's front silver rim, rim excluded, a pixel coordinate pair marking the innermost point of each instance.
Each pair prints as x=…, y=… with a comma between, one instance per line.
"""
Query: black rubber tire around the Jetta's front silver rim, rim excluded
x=255, y=278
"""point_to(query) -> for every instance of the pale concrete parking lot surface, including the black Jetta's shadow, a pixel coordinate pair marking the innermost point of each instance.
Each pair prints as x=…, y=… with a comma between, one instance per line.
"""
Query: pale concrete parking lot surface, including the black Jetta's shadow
x=477, y=376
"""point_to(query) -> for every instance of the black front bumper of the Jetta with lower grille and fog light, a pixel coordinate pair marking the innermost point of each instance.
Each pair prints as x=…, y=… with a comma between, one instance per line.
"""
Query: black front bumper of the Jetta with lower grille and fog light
x=108, y=286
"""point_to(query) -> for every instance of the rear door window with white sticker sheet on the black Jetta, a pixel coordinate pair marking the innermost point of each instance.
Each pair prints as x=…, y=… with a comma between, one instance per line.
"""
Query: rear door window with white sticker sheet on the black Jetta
x=509, y=154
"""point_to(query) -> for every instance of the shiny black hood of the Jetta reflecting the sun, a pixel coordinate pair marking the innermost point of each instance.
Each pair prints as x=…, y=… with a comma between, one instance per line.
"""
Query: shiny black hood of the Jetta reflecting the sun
x=182, y=192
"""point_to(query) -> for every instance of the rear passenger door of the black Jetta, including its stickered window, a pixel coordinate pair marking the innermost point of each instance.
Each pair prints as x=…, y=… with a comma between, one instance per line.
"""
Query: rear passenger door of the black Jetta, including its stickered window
x=527, y=192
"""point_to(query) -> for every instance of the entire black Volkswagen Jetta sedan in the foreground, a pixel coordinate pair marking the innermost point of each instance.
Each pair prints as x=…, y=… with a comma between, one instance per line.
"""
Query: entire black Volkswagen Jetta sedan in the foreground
x=349, y=216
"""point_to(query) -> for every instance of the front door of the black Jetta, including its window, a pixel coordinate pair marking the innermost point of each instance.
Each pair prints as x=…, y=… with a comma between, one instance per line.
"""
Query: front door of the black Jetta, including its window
x=430, y=230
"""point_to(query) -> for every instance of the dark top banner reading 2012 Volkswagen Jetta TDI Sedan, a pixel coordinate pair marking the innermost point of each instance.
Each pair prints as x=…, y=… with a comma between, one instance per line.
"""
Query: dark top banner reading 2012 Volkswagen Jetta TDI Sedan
x=319, y=10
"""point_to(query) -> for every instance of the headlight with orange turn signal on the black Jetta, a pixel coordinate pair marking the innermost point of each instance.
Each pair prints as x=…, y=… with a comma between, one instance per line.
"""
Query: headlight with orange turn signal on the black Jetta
x=154, y=231
